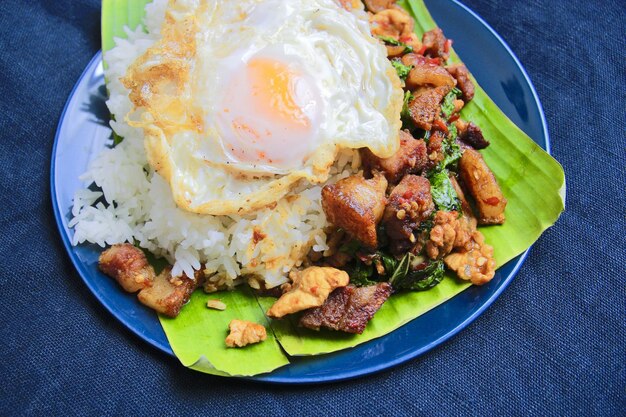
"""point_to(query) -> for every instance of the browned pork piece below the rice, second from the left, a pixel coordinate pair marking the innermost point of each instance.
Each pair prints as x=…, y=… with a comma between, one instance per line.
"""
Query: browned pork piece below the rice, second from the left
x=167, y=295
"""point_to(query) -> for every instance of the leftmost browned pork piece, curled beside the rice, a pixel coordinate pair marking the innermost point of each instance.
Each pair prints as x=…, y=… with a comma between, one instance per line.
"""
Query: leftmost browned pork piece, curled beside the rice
x=128, y=265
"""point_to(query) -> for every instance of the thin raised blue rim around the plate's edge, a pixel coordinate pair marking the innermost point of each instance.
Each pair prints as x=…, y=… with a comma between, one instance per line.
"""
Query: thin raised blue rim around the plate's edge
x=269, y=378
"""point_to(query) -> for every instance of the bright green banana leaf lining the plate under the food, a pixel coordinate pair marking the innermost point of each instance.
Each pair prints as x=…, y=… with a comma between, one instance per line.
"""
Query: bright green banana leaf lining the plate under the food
x=532, y=180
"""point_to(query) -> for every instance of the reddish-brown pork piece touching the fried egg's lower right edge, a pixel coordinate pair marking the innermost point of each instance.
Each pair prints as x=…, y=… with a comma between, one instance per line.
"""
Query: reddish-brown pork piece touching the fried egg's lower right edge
x=410, y=158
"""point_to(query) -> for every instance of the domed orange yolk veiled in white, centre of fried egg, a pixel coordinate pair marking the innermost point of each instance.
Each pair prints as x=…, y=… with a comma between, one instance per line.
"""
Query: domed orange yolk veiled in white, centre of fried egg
x=270, y=113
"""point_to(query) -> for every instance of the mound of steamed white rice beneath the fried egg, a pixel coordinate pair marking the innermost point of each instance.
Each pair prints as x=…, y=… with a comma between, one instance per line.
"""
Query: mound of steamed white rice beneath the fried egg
x=140, y=207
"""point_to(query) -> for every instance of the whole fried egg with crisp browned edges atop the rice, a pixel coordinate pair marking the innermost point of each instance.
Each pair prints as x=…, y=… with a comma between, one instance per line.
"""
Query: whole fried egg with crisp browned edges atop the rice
x=241, y=100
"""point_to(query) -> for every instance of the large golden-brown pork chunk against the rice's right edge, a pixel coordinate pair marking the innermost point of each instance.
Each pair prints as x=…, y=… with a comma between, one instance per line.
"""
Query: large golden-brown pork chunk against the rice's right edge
x=356, y=205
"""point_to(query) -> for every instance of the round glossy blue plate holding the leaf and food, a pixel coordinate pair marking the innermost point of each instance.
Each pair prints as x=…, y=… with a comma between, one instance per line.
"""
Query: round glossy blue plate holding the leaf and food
x=83, y=132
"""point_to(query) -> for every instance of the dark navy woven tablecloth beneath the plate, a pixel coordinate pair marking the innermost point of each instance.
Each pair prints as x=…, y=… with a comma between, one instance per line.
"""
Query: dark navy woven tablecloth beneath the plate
x=552, y=344
